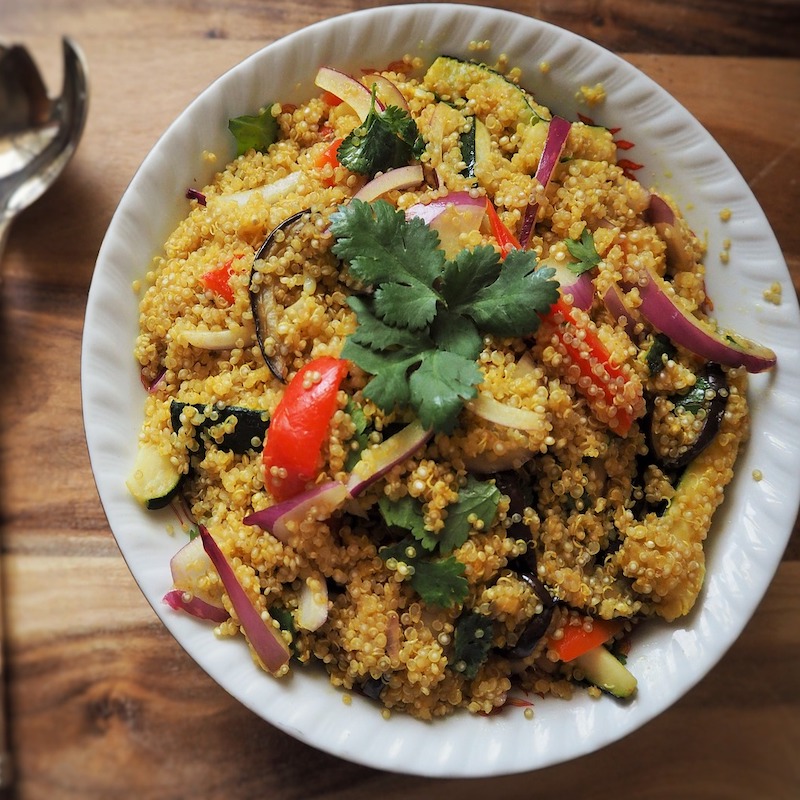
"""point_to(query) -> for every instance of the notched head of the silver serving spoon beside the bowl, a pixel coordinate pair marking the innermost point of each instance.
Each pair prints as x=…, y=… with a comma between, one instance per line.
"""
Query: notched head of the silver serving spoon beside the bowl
x=38, y=135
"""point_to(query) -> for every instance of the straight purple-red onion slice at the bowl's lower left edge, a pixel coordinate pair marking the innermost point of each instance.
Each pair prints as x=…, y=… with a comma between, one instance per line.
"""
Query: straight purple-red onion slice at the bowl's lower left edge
x=265, y=639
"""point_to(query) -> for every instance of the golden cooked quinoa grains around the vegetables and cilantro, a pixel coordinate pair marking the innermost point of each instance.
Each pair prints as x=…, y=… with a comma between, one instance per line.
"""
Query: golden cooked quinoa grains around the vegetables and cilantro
x=602, y=500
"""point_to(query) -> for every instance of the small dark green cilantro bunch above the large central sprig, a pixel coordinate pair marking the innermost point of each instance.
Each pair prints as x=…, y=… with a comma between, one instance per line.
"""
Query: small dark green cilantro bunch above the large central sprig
x=385, y=140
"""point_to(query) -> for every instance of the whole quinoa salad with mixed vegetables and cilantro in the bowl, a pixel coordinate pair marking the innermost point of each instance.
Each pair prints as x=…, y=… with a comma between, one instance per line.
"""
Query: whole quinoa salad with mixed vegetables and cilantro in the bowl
x=435, y=392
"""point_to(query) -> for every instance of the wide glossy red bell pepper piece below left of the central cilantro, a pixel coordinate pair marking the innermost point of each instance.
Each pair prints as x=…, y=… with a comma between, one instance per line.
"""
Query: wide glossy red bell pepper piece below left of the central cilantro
x=300, y=425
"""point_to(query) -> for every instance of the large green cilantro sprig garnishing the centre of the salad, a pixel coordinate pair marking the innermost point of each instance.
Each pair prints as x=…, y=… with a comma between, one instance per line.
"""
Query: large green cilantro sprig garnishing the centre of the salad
x=421, y=325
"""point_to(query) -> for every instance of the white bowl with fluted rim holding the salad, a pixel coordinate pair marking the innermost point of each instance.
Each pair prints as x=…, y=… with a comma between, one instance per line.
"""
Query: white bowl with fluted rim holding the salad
x=750, y=530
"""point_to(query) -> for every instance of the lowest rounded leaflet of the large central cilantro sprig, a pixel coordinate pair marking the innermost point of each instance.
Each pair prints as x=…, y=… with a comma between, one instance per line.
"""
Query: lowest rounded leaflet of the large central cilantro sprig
x=441, y=383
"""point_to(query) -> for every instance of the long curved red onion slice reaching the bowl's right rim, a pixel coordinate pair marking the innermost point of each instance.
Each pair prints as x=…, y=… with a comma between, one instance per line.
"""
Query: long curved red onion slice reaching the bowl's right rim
x=659, y=307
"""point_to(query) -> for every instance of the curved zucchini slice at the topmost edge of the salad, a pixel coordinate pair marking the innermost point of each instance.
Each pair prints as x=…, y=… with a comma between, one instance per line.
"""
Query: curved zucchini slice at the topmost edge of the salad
x=452, y=77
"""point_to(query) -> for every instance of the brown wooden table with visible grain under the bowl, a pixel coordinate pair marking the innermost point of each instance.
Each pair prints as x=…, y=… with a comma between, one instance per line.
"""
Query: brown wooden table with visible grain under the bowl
x=103, y=702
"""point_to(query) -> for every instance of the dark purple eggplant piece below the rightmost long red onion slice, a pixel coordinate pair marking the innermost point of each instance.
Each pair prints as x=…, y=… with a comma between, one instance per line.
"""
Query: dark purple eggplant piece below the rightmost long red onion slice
x=711, y=380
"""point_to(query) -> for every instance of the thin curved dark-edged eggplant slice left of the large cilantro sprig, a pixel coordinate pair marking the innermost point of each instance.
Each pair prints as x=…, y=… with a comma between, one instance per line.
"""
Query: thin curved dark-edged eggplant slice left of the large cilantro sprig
x=262, y=300
